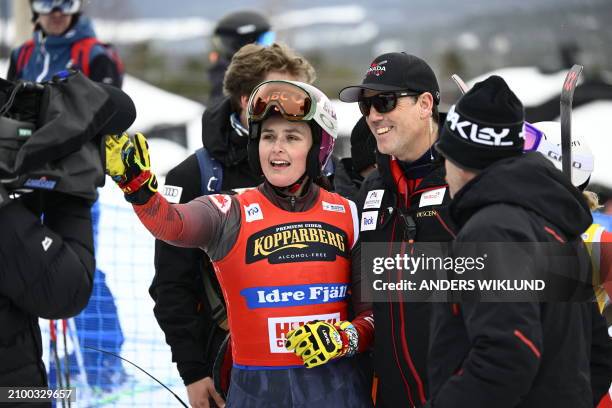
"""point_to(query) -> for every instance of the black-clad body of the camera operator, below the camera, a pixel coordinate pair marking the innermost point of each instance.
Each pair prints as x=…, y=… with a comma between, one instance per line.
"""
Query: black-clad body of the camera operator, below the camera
x=46, y=270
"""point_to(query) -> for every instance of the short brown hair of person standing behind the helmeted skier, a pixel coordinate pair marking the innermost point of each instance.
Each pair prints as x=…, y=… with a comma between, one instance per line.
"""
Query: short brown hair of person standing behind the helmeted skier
x=253, y=62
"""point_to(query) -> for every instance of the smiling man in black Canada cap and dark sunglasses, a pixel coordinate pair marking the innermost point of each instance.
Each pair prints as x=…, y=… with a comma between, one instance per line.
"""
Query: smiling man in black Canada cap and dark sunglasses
x=404, y=200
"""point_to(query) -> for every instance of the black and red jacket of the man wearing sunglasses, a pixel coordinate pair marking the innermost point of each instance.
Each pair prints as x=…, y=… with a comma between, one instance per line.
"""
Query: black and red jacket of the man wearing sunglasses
x=402, y=327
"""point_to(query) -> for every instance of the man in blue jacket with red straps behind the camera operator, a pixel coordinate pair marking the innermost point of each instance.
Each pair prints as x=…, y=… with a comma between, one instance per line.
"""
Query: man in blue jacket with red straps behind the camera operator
x=63, y=38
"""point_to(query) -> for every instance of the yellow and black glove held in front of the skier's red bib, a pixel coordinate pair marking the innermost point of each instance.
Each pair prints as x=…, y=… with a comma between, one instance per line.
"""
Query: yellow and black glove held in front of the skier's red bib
x=318, y=342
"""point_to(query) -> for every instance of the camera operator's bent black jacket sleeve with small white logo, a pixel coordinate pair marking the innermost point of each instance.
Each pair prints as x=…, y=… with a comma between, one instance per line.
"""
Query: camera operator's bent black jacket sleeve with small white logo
x=46, y=269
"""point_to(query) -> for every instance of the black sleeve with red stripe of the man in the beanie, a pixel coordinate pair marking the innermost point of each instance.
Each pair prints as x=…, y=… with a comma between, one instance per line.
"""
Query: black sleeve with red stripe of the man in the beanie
x=506, y=338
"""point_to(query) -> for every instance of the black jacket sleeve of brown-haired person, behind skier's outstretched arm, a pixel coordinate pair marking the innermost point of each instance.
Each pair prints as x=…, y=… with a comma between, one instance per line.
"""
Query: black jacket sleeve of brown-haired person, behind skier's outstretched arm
x=177, y=291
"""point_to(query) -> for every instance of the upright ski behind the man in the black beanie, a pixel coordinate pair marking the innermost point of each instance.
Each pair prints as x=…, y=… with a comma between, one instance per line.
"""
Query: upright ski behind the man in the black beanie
x=567, y=96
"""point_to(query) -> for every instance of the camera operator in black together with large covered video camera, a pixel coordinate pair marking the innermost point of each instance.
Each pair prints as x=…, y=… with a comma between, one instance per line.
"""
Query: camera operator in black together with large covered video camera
x=50, y=168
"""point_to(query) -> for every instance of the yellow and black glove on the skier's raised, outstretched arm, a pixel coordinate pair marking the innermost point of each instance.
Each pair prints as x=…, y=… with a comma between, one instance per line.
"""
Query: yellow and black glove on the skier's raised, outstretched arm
x=128, y=164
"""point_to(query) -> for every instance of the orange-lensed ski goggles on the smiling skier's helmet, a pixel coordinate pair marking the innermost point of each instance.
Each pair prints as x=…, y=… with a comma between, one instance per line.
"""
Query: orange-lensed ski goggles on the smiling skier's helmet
x=291, y=101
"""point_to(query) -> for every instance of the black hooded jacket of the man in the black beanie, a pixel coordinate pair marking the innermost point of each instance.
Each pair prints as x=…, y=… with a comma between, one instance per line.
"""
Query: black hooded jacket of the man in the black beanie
x=521, y=354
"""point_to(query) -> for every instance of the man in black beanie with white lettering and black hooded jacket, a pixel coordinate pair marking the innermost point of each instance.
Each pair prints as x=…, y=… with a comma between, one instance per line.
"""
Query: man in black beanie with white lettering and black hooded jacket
x=511, y=354
